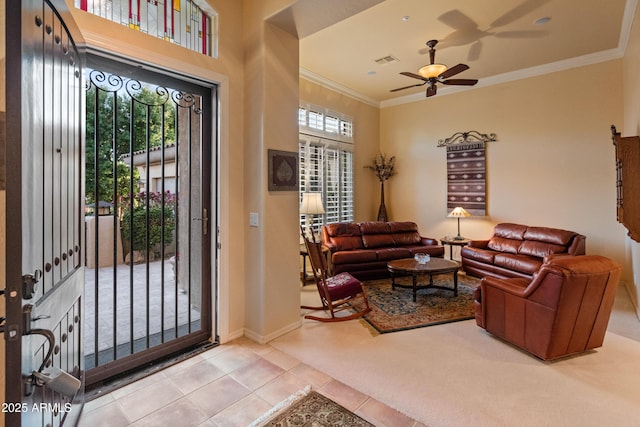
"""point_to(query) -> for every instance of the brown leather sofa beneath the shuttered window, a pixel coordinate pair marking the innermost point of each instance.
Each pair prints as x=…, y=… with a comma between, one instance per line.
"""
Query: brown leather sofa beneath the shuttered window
x=364, y=249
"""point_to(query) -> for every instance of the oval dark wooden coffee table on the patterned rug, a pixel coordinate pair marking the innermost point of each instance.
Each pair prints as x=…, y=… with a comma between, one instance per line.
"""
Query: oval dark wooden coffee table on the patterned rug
x=410, y=266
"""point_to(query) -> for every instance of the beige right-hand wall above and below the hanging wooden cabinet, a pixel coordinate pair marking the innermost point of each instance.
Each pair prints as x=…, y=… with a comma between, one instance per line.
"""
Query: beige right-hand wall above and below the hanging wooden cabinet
x=631, y=127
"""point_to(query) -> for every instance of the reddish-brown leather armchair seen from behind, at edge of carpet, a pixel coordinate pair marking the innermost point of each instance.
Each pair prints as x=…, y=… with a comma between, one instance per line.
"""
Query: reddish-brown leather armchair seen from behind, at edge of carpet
x=563, y=310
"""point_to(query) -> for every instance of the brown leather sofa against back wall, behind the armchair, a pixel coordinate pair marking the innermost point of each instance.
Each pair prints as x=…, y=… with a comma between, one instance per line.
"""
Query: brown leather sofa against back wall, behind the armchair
x=517, y=250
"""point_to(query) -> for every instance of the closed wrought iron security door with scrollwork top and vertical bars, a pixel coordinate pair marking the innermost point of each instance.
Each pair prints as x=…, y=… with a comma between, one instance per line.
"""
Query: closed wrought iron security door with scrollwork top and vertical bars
x=148, y=160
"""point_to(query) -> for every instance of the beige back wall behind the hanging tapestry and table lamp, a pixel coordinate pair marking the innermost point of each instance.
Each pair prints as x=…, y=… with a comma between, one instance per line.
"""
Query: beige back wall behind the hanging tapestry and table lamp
x=552, y=165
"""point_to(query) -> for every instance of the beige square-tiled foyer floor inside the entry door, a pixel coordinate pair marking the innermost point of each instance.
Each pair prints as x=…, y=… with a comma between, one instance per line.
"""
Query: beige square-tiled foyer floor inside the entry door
x=230, y=385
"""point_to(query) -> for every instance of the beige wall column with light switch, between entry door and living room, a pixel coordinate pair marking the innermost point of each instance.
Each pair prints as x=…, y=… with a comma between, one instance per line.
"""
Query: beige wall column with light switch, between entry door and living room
x=271, y=103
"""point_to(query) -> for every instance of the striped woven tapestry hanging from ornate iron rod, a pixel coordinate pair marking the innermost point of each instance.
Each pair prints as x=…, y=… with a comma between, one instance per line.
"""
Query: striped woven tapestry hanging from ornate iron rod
x=466, y=171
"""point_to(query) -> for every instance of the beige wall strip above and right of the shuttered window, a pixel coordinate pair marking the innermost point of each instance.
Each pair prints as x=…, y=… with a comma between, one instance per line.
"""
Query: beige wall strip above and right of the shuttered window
x=366, y=119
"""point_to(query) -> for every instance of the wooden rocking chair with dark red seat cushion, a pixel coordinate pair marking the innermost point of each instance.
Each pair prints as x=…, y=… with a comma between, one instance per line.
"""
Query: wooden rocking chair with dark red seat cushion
x=335, y=291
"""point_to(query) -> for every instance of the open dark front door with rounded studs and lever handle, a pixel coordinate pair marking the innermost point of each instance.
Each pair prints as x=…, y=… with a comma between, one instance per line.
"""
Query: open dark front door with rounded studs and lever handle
x=44, y=271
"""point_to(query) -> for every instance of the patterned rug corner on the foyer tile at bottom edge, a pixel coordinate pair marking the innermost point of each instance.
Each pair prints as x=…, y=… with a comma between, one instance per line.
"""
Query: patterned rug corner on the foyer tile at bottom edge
x=309, y=408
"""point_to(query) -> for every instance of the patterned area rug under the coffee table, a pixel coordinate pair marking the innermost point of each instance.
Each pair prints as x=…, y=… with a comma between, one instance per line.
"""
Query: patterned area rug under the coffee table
x=393, y=310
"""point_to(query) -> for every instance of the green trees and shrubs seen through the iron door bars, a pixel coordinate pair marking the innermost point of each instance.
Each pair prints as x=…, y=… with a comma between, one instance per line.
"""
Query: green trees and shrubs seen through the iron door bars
x=118, y=124
